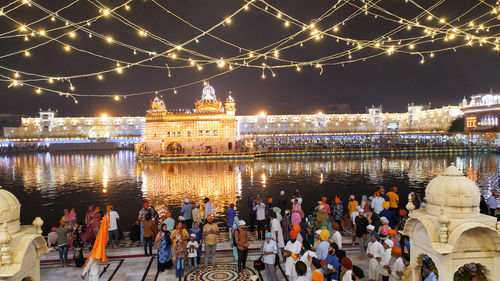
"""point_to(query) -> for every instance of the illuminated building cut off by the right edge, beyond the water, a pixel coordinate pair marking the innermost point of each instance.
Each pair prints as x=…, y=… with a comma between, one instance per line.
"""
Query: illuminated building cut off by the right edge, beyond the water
x=482, y=113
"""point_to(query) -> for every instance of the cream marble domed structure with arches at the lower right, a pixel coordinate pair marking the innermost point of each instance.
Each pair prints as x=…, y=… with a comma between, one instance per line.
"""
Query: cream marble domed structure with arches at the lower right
x=451, y=230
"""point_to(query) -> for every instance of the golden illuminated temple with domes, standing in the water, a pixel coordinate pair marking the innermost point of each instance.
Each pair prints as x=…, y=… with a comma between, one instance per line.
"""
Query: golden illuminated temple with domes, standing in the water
x=209, y=129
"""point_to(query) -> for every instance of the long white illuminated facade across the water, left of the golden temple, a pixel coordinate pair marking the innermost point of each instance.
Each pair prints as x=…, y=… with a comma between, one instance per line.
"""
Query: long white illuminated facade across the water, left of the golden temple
x=48, y=125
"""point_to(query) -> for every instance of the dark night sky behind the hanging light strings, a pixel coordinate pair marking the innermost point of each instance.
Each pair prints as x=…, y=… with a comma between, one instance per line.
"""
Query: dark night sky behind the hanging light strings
x=392, y=81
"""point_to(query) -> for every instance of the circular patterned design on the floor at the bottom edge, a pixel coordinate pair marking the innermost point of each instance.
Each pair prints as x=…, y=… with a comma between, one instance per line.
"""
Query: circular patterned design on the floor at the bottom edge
x=220, y=272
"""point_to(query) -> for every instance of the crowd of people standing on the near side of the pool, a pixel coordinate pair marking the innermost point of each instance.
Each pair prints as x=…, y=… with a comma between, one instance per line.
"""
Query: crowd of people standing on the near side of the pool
x=311, y=246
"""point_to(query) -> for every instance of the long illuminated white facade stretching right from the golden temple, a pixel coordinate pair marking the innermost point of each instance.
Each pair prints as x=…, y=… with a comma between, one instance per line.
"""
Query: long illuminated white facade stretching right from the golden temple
x=419, y=118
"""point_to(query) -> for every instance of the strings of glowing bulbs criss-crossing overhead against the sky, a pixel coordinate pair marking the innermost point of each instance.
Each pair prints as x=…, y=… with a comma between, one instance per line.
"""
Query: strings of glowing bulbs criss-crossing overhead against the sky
x=384, y=43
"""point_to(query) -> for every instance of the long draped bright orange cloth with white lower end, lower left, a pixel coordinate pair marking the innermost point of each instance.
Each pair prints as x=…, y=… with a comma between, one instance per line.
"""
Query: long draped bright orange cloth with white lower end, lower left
x=98, y=253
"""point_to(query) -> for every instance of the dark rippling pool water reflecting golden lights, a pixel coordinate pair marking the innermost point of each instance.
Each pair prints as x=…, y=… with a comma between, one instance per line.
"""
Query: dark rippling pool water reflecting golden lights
x=47, y=183
